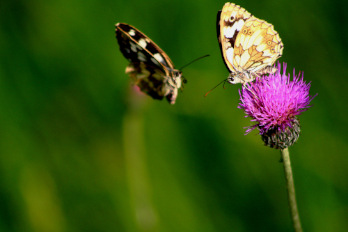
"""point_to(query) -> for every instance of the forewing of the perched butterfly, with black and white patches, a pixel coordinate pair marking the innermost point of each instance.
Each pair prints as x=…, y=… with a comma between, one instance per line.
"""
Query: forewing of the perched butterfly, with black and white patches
x=230, y=21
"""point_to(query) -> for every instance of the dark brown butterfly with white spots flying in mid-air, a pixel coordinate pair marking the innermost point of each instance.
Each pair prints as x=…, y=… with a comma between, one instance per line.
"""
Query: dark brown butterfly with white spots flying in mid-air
x=150, y=67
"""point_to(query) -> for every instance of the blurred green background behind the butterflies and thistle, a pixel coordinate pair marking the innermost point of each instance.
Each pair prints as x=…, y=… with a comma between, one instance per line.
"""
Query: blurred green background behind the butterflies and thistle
x=80, y=152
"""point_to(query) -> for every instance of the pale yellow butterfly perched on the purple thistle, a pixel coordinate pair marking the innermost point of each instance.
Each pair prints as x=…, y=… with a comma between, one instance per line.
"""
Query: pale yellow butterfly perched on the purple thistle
x=249, y=45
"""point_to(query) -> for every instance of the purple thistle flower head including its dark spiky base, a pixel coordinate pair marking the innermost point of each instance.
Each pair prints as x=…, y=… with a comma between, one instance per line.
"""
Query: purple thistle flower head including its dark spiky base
x=273, y=102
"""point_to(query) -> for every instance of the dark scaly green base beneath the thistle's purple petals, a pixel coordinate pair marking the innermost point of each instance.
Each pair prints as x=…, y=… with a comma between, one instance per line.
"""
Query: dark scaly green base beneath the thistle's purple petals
x=281, y=139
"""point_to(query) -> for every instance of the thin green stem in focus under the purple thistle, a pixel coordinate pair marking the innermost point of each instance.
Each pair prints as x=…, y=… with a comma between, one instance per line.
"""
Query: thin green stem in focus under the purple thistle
x=291, y=190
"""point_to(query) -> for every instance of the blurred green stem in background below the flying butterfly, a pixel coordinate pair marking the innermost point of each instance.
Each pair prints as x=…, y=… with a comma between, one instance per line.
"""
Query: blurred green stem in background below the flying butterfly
x=135, y=163
